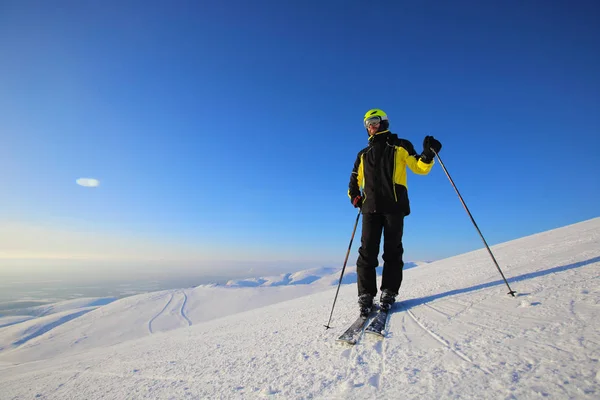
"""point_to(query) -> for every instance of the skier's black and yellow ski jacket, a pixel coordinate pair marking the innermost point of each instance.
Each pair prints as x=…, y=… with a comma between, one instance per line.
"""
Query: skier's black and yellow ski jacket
x=380, y=171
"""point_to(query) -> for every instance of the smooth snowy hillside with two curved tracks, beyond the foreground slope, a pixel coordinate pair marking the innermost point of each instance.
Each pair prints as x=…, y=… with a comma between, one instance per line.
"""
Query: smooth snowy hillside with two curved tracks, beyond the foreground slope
x=132, y=318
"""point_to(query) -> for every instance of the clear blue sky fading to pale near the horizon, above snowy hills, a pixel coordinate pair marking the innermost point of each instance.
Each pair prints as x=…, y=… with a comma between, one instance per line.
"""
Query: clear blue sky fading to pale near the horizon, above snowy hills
x=225, y=132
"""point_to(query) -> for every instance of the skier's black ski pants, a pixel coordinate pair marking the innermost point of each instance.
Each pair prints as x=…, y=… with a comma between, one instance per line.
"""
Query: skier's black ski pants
x=392, y=226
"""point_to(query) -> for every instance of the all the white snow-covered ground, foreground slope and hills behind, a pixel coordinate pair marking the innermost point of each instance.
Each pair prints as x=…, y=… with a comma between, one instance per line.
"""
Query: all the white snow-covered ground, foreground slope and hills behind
x=454, y=334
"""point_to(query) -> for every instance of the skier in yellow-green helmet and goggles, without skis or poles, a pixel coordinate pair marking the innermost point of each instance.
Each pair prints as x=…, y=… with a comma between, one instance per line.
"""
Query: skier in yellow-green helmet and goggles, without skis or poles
x=380, y=171
